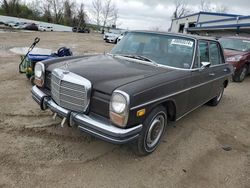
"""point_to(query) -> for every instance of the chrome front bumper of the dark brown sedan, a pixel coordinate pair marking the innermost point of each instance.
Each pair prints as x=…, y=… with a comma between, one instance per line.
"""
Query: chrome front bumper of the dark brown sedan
x=92, y=124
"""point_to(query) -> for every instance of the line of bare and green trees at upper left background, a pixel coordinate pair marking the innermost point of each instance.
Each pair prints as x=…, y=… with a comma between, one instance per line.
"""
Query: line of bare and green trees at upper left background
x=65, y=12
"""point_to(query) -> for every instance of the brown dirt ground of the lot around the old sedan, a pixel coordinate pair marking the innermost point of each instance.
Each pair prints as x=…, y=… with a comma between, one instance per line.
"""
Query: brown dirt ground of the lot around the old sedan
x=36, y=152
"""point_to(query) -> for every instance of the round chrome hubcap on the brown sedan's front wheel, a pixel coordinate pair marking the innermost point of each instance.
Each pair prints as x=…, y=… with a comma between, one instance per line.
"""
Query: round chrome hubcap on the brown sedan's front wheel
x=155, y=131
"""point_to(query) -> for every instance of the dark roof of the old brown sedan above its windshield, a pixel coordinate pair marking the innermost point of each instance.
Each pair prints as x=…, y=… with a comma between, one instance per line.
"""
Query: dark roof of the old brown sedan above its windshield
x=197, y=37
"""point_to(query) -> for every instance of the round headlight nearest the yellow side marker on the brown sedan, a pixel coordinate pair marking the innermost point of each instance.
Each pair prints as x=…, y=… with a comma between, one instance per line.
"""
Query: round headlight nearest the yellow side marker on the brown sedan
x=118, y=103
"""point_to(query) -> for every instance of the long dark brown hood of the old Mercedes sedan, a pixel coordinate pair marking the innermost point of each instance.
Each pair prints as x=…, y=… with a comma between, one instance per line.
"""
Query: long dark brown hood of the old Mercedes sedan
x=107, y=73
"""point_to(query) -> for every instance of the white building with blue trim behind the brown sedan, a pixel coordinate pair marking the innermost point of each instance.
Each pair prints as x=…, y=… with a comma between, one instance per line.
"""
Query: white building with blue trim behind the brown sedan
x=209, y=23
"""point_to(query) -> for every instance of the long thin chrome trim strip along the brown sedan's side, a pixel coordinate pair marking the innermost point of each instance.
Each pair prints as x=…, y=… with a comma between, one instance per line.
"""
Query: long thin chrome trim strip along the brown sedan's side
x=176, y=93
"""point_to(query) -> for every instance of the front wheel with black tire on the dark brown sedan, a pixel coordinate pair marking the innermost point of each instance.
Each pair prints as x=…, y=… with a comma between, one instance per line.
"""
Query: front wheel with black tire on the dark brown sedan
x=153, y=128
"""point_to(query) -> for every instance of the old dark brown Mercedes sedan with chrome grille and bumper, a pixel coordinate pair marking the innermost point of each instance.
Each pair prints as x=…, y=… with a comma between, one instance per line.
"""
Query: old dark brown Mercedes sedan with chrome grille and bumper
x=130, y=95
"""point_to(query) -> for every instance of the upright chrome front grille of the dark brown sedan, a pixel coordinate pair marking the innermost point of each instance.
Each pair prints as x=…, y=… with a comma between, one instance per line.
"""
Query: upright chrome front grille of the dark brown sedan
x=70, y=91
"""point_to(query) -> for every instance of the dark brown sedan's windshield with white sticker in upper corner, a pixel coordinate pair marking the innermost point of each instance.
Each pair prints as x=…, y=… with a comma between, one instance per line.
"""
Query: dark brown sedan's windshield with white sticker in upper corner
x=163, y=49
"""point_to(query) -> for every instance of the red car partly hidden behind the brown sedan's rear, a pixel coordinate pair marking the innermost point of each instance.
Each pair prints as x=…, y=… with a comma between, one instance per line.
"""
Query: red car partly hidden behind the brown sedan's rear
x=237, y=52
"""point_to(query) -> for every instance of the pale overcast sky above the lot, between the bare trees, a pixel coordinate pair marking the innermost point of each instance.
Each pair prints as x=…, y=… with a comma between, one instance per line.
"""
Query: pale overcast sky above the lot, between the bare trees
x=149, y=14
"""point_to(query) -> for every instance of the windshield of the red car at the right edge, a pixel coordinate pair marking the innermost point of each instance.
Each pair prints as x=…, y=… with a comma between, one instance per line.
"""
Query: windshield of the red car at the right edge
x=235, y=44
